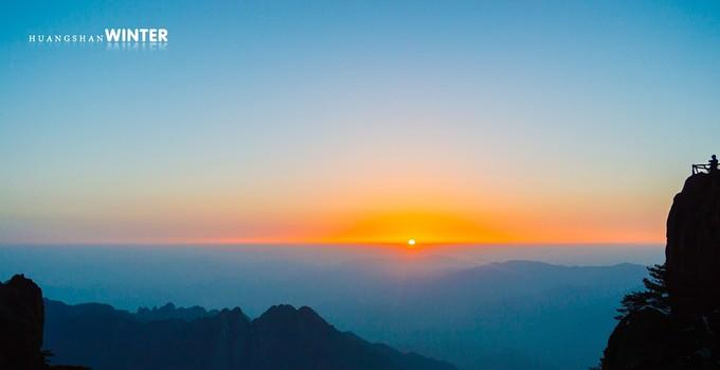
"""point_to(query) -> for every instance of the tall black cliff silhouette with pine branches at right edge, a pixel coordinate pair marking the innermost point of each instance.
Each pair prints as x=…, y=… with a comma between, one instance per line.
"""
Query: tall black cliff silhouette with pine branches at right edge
x=674, y=323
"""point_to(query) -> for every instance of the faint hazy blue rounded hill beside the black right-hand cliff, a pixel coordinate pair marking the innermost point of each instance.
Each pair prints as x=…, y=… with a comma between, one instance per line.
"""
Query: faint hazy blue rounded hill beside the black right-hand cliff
x=515, y=315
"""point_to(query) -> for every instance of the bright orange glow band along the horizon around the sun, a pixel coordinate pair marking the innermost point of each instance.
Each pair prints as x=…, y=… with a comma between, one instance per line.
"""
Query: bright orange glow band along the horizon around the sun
x=396, y=229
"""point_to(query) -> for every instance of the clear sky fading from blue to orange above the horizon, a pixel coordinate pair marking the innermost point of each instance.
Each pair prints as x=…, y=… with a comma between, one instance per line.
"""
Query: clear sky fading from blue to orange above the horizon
x=355, y=121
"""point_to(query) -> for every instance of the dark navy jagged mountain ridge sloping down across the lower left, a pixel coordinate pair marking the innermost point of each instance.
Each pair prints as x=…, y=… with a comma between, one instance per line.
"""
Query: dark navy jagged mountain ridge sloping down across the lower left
x=281, y=338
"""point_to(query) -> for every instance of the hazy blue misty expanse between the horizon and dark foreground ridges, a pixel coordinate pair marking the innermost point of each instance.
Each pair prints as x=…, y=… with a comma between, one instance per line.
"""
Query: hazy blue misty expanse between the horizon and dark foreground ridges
x=514, y=315
